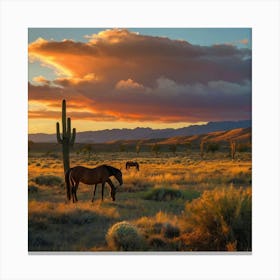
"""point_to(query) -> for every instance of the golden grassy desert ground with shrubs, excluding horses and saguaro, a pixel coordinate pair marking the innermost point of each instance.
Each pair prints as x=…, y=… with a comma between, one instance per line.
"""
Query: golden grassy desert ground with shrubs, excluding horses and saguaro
x=175, y=202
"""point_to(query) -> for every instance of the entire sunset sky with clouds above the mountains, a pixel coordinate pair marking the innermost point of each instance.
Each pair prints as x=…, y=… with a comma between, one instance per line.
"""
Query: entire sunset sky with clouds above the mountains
x=135, y=77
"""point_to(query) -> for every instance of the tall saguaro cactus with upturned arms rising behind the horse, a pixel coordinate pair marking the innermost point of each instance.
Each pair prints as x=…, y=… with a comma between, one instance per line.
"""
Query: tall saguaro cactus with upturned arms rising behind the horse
x=66, y=138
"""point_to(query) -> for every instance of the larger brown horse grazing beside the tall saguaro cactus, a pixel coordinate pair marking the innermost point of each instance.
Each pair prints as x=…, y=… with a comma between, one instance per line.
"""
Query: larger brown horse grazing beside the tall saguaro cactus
x=91, y=176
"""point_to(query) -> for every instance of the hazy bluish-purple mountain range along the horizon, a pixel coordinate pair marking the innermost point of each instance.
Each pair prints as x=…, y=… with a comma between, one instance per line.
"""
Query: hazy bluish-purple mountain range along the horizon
x=113, y=135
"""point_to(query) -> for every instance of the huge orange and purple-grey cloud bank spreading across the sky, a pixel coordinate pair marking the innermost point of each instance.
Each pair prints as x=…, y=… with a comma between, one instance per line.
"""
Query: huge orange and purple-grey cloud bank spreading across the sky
x=121, y=75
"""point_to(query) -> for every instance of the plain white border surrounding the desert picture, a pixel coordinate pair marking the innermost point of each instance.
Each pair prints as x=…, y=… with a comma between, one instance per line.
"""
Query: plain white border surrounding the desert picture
x=17, y=16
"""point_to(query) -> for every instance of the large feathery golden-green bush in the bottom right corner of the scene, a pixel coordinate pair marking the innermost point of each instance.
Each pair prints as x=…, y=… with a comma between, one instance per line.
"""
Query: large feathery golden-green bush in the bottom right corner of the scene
x=220, y=220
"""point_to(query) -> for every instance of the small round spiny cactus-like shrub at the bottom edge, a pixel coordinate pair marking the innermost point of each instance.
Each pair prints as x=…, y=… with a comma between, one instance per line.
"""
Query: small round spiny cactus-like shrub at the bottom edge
x=124, y=236
